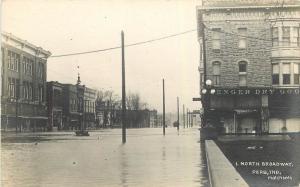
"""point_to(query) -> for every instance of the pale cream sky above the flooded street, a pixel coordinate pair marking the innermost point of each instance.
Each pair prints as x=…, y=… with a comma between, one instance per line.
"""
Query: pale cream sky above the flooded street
x=71, y=26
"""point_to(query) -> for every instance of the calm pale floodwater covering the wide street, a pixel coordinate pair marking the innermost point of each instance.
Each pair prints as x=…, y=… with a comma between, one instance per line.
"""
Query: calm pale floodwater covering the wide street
x=62, y=159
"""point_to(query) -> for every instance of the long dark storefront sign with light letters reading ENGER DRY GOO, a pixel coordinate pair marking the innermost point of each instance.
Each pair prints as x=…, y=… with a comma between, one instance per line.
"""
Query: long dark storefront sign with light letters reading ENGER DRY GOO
x=259, y=91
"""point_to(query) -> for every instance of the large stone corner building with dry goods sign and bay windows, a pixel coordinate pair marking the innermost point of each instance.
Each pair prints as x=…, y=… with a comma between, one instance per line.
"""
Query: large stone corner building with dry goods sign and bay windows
x=249, y=65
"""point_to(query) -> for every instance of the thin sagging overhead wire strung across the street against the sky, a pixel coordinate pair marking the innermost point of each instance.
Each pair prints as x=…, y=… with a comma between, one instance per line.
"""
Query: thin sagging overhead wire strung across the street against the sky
x=129, y=45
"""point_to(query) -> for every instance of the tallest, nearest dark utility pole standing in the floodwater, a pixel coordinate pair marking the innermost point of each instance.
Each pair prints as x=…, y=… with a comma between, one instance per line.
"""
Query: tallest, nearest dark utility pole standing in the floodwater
x=123, y=92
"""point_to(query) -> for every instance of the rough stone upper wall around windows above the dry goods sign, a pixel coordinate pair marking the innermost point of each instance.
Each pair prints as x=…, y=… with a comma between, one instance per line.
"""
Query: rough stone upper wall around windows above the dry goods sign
x=257, y=53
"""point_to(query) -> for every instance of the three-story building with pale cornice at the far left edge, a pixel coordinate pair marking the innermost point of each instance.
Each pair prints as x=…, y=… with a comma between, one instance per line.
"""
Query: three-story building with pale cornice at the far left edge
x=23, y=96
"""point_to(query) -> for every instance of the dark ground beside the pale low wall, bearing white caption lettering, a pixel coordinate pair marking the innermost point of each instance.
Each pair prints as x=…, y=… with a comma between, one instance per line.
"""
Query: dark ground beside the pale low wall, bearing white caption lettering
x=271, y=160
